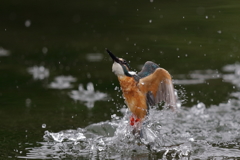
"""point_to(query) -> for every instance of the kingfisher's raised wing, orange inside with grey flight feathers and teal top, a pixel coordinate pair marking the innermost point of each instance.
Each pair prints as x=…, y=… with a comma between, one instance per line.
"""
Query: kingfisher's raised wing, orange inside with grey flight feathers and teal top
x=156, y=83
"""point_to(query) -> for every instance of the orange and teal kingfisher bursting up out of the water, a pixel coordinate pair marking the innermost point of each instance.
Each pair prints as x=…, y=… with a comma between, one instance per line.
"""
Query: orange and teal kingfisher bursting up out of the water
x=149, y=87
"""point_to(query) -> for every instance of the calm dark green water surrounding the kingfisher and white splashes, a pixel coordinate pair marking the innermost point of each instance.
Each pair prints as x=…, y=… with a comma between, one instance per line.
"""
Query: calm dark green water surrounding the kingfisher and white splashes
x=69, y=38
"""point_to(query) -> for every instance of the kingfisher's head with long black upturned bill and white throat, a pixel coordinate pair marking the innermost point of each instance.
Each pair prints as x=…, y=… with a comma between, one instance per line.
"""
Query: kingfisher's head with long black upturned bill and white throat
x=120, y=66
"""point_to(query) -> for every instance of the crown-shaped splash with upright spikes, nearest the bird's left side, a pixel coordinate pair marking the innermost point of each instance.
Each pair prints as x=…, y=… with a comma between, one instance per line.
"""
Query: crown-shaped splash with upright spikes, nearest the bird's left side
x=88, y=96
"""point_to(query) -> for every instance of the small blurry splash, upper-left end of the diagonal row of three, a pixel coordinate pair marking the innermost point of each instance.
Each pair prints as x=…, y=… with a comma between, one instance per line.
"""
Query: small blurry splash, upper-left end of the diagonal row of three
x=38, y=72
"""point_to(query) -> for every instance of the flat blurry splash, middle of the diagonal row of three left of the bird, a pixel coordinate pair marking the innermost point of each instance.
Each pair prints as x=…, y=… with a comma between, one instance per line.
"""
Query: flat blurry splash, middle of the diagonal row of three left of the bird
x=62, y=82
